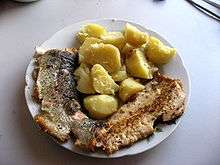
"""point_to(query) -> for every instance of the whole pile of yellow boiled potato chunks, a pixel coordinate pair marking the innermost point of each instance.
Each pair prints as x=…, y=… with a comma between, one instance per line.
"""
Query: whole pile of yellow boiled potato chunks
x=112, y=63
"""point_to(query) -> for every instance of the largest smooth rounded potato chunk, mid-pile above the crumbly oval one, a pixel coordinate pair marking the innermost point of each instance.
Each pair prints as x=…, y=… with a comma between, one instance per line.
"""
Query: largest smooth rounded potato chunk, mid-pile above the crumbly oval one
x=105, y=54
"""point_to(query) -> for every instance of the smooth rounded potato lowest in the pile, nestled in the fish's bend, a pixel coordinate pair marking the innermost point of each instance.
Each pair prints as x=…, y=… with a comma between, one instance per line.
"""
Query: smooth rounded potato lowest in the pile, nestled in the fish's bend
x=100, y=106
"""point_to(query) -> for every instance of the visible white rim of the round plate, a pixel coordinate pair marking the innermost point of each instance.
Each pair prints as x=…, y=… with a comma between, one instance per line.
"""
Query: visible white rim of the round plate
x=80, y=23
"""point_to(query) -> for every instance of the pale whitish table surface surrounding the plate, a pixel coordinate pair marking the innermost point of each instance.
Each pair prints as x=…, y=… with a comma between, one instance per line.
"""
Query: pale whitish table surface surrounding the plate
x=195, y=35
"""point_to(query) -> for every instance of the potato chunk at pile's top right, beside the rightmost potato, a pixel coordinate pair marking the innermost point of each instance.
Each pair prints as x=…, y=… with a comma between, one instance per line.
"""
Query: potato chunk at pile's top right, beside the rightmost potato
x=134, y=36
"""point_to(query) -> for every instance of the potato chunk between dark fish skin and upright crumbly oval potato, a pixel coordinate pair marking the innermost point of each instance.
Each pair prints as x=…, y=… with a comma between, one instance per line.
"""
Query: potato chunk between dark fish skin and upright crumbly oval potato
x=84, y=83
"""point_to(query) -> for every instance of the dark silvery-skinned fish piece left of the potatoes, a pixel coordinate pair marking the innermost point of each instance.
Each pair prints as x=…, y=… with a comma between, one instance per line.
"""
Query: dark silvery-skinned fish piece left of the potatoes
x=55, y=88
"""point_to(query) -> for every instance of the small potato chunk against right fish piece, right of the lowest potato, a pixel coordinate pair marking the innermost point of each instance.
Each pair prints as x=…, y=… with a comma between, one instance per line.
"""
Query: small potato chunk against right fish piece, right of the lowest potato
x=128, y=88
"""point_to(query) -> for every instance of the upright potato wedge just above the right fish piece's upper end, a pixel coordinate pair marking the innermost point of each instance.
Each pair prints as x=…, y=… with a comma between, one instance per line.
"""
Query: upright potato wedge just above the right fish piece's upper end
x=137, y=65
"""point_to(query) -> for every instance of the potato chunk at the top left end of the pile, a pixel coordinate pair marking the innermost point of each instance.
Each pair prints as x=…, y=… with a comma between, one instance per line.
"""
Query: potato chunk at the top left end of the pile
x=91, y=30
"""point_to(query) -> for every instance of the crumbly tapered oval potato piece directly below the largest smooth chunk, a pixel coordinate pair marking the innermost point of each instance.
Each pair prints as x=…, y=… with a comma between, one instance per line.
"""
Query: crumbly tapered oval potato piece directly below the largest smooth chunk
x=102, y=81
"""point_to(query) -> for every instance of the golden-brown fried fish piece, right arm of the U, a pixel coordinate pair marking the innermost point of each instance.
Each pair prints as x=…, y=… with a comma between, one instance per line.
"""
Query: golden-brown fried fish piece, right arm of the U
x=162, y=98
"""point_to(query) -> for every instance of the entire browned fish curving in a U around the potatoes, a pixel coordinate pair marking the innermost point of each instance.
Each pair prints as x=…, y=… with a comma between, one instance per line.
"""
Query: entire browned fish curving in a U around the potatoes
x=61, y=112
